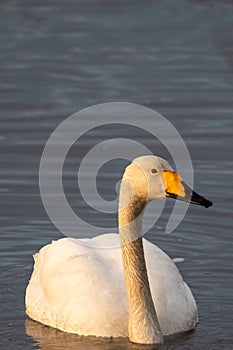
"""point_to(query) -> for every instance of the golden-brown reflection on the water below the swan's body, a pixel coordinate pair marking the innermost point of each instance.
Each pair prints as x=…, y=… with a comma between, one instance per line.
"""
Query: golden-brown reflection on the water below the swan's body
x=52, y=339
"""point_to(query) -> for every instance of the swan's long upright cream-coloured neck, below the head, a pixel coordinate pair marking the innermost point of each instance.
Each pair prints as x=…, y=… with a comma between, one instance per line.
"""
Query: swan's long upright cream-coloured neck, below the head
x=143, y=323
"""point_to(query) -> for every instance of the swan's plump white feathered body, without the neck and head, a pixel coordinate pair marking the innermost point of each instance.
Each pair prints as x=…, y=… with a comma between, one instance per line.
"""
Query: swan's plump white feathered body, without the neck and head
x=81, y=289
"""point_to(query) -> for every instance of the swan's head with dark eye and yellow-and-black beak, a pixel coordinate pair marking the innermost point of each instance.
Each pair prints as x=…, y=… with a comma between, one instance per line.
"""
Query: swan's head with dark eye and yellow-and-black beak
x=152, y=177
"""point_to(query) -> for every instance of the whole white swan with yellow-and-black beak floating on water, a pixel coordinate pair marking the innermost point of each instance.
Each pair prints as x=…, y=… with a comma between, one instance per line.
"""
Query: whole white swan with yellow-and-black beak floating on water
x=132, y=289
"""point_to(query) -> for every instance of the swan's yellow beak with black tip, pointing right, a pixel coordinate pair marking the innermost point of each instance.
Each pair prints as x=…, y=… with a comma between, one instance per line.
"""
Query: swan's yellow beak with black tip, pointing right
x=176, y=188
